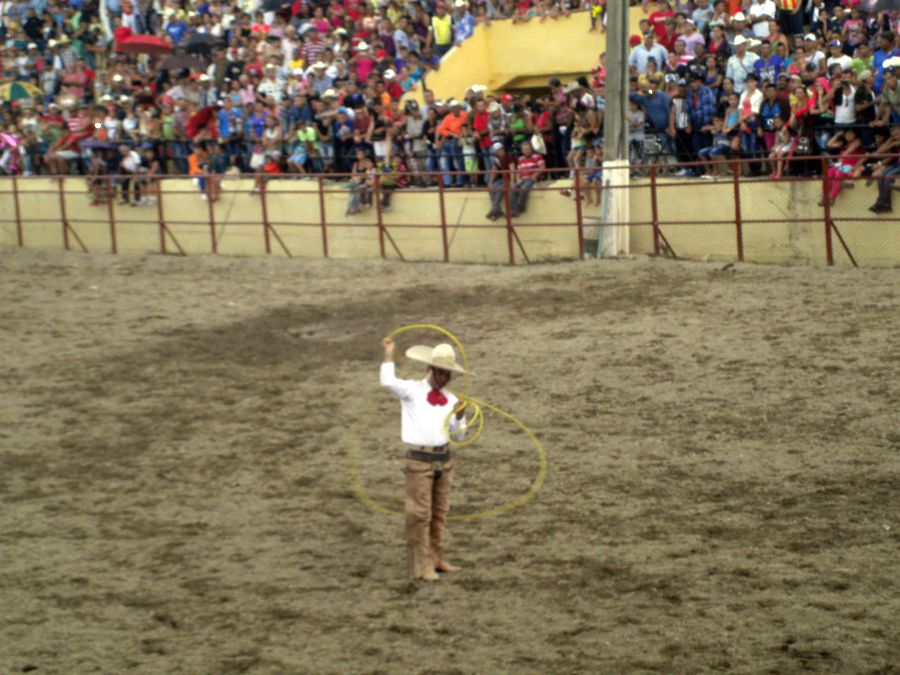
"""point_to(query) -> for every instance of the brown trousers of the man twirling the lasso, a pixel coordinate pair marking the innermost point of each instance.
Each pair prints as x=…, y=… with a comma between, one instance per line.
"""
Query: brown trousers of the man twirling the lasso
x=427, y=504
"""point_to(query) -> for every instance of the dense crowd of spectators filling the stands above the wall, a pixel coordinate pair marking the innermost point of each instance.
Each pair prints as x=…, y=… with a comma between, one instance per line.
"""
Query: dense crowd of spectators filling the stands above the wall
x=282, y=86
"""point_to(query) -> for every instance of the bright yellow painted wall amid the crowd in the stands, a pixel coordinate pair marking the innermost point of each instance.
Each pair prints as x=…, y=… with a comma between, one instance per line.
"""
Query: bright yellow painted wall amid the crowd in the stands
x=504, y=55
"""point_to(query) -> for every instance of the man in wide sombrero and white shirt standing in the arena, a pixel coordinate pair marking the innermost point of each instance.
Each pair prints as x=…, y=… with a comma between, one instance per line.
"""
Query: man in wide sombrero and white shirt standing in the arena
x=428, y=414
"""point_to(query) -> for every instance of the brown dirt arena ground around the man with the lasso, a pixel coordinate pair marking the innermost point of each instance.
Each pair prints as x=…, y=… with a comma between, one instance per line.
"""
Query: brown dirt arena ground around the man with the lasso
x=722, y=492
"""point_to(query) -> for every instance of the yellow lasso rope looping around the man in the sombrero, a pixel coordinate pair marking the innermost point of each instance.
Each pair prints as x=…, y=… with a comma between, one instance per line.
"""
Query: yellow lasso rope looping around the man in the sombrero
x=534, y=488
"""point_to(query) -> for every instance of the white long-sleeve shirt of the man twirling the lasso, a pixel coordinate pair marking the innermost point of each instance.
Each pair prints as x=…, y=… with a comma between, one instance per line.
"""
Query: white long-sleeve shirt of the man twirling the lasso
x=421, y=424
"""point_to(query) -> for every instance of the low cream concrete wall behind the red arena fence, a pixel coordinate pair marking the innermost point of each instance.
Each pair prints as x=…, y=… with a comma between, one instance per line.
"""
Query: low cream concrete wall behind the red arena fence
x=293, y=209
